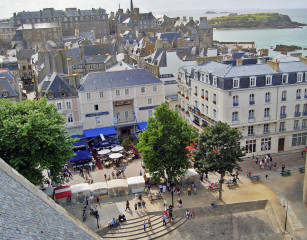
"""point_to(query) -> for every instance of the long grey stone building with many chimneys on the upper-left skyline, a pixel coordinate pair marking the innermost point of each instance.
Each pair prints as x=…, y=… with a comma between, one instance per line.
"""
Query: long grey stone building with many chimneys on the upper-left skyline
x=68, y=20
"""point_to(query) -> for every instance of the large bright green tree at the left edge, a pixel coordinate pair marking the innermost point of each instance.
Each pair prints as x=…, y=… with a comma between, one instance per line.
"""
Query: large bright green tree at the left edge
x=32, y=138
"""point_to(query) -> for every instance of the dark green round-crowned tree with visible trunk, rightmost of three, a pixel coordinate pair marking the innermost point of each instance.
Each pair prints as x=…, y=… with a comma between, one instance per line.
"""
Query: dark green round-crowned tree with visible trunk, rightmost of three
x=219, y=150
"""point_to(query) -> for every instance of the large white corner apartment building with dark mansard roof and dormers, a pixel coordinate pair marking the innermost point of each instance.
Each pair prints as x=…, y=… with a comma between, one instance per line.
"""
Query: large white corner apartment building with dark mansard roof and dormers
x=266, y=102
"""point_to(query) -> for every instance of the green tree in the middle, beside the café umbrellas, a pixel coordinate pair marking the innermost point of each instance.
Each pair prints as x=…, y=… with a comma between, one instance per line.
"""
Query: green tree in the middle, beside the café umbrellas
x=163, y=144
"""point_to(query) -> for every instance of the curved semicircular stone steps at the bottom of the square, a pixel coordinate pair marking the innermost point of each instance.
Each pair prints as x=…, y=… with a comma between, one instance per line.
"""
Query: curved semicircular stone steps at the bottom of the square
x=133, y=228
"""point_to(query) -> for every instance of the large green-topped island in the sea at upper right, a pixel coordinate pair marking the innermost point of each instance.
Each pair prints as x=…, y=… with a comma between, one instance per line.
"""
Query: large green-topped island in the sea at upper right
x=254, y=21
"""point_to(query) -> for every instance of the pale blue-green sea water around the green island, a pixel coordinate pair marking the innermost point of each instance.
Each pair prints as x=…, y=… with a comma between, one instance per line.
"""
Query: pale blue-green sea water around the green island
x=264, y=38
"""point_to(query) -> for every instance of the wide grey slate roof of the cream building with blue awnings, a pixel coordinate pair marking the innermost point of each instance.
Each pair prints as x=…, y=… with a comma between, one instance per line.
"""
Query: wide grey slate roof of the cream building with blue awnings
x=117, y=79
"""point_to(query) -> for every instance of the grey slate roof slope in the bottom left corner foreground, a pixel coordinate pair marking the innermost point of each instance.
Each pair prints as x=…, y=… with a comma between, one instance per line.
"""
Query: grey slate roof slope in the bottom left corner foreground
x=28, y=213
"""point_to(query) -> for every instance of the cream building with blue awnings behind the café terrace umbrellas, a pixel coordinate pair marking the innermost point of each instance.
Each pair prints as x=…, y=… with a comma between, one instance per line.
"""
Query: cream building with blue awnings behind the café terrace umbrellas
x=117, y=102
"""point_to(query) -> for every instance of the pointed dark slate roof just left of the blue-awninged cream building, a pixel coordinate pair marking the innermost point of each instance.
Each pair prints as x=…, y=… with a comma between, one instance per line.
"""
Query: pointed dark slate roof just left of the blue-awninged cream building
x=56, y=85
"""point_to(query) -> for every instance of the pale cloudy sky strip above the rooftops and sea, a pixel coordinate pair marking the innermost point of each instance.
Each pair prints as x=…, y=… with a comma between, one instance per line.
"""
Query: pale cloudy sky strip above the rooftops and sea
x=7, y=7
